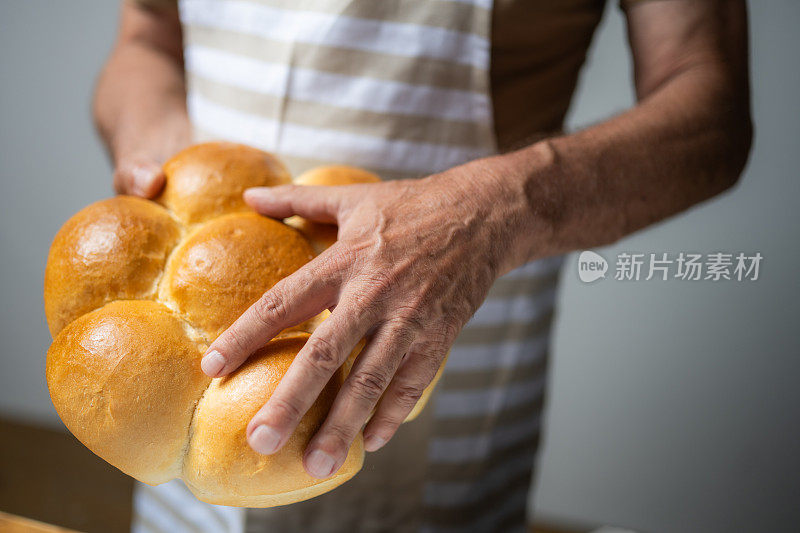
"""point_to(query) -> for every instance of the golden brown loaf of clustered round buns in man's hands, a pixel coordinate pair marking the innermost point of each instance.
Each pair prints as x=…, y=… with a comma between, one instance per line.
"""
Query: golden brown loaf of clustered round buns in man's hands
x=134, y=293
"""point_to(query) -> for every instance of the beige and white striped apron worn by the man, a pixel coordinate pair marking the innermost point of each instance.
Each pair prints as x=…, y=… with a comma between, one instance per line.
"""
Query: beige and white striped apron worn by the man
x=400, y=87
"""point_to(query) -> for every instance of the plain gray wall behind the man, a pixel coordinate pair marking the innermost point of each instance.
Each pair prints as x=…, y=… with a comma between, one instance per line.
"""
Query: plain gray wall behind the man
x=674, y=406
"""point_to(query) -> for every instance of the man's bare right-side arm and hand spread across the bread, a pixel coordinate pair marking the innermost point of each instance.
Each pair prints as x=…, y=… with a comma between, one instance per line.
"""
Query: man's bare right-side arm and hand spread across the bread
x=414, y=260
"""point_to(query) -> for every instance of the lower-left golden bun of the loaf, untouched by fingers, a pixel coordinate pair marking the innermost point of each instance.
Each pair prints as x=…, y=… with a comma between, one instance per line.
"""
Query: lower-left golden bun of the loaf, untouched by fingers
x=125, y=379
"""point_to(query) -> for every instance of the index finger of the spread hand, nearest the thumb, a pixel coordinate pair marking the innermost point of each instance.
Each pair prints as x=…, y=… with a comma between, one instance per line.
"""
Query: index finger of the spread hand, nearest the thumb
x=289, y=302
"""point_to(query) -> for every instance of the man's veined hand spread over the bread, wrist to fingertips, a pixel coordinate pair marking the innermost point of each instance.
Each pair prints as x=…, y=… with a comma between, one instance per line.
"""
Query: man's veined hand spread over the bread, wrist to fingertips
x=414, y=260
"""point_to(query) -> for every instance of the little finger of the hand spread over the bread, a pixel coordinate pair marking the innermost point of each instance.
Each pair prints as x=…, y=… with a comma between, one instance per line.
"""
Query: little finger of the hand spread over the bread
x=403, y=393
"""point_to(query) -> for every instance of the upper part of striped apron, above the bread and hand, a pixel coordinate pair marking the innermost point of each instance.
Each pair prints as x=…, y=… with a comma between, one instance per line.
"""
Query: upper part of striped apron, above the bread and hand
x=394, y=89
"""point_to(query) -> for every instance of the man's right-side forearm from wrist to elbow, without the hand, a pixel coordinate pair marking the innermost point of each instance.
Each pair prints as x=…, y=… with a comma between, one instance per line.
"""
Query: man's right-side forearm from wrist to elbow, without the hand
x=685, y=143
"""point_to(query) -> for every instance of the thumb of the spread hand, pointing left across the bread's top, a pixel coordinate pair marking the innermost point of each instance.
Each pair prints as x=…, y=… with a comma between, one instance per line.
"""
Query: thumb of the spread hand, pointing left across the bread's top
x=314, y=202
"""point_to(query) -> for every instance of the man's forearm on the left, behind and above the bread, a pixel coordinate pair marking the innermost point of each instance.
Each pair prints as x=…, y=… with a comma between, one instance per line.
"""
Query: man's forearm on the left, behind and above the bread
x=141, y=92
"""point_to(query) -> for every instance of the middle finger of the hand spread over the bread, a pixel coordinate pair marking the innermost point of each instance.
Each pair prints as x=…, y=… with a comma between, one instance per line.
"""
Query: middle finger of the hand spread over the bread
x=312, y=368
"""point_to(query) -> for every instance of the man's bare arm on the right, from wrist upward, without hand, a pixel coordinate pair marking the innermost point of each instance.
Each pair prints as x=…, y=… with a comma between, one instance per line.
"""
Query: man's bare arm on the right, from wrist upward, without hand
x=686, y=140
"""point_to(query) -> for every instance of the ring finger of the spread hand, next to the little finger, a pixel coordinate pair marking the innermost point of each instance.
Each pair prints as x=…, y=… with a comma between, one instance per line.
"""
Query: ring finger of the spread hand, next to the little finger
x=358, y=396
